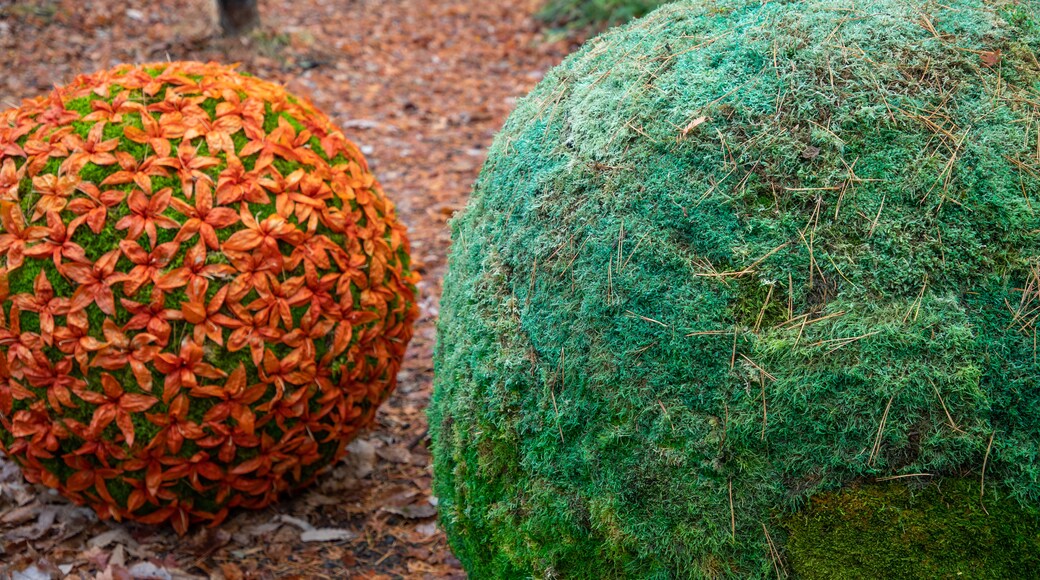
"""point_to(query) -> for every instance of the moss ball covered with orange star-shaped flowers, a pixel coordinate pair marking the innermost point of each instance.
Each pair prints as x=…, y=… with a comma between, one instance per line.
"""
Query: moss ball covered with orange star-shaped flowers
x=206, y=294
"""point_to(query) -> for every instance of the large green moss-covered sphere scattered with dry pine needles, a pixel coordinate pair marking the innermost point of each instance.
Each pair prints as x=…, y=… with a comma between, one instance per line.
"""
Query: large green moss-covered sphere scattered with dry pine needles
x=739, y=255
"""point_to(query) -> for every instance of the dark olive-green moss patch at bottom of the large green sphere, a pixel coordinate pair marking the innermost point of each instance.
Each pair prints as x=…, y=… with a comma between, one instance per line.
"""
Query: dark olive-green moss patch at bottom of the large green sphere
x=937, y=531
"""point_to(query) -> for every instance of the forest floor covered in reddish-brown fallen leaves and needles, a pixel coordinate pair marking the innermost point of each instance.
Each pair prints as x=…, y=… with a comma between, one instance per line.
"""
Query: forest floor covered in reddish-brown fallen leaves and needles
x=422, y=86
